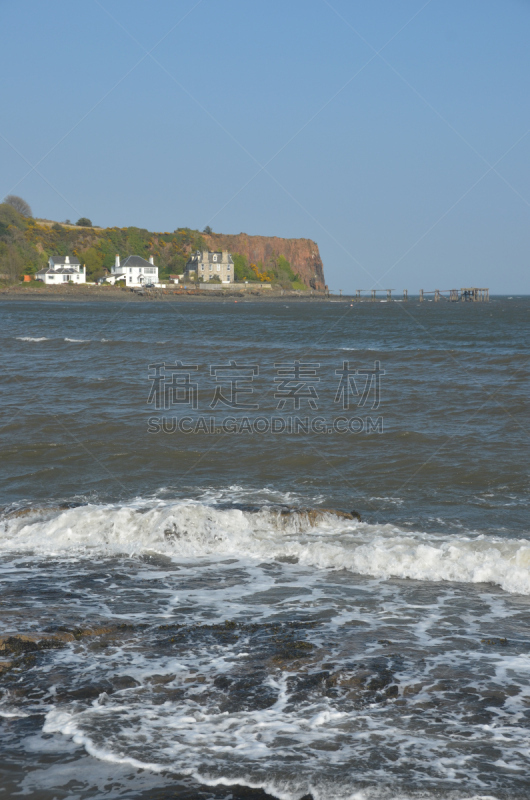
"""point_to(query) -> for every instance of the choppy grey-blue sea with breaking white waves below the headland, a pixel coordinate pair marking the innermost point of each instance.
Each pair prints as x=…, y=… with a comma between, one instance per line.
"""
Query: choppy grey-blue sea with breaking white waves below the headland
x=189, y=638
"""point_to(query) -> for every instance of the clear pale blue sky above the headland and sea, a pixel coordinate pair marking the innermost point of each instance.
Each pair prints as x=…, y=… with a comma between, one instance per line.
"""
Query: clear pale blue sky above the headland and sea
x=395, y=134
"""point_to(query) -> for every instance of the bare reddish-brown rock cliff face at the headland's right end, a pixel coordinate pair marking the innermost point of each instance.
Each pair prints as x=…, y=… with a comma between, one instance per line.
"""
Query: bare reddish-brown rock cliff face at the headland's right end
x=302, y=254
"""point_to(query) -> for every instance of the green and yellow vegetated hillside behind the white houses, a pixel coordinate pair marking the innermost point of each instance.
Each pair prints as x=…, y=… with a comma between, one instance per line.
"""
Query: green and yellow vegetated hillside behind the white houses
x=27, y=243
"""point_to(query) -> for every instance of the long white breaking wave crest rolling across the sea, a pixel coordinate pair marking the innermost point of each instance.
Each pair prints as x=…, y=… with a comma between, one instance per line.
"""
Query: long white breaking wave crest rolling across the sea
x=191, y=530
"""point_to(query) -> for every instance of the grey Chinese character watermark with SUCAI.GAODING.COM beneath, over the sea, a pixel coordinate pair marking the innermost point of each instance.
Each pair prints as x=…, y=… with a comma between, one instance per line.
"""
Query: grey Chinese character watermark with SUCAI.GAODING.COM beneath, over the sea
x=175, y=386
